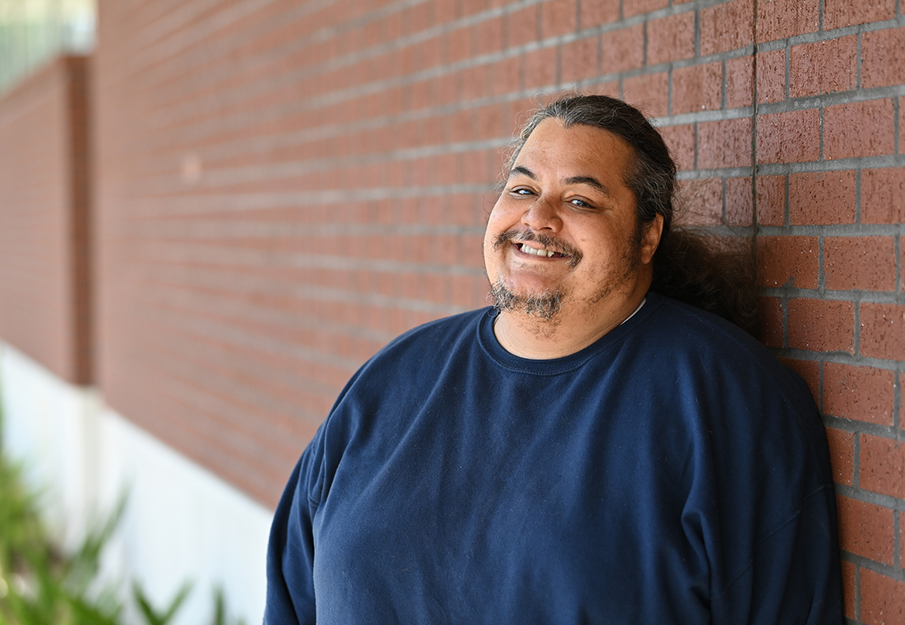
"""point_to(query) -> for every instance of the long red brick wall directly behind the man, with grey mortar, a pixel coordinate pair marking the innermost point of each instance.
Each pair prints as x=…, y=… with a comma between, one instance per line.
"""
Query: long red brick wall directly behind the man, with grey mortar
x=284, y=186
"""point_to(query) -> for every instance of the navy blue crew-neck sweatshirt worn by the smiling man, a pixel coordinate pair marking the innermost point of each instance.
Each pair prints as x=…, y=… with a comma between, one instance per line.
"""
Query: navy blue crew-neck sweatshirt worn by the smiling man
x=672, y=472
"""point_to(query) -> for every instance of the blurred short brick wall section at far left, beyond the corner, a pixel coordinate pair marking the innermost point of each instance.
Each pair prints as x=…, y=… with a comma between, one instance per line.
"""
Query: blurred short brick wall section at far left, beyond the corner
x=44, y=261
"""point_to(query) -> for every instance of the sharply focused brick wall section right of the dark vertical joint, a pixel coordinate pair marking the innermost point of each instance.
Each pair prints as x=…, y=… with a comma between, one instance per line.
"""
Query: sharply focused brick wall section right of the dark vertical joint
x=829, y=193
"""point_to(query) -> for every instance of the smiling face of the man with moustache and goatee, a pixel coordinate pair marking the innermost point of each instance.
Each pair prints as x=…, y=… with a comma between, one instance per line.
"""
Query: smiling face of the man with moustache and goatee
x=564, y=230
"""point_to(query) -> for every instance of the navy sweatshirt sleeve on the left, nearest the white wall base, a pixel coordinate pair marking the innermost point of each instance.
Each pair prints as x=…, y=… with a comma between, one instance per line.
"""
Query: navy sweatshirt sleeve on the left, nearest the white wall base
x=290, y=553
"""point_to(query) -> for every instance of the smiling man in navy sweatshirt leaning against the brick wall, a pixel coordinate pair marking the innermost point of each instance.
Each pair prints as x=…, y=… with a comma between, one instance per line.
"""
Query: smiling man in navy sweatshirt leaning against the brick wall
x=586, y=451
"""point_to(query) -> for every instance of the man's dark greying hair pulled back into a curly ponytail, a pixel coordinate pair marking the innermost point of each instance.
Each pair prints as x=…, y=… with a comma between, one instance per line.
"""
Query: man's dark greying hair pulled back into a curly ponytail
x=689, y=265
